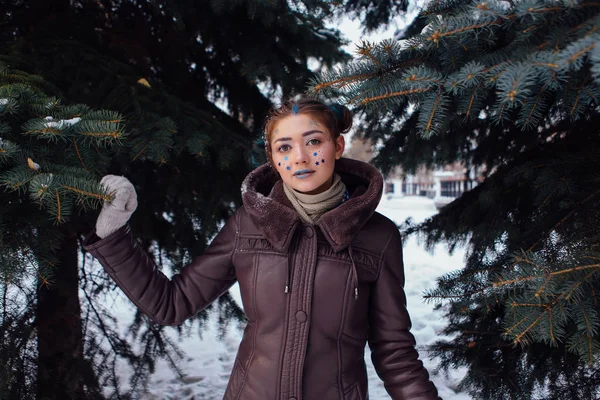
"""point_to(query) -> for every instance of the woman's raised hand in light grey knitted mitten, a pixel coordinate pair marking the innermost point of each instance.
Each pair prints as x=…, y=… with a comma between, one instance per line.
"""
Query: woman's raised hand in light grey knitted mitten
x=116, y=213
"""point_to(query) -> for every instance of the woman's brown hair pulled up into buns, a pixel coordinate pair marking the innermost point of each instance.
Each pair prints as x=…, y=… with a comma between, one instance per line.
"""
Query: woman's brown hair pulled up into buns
x=337, y=118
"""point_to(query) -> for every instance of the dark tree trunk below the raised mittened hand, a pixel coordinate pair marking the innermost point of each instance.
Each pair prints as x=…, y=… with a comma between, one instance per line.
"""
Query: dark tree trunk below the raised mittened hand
x=61, y=364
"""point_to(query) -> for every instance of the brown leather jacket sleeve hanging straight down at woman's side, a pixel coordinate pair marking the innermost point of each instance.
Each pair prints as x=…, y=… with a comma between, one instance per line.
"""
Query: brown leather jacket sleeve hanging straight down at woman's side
x=392, y=345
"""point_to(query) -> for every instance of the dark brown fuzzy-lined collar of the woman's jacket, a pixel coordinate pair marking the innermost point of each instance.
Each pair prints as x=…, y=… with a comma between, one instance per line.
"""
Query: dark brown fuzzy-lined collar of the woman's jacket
x=273, y=215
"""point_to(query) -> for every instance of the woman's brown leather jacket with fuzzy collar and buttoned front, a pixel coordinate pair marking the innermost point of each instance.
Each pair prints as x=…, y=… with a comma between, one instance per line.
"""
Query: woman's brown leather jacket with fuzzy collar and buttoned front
x=313, y=295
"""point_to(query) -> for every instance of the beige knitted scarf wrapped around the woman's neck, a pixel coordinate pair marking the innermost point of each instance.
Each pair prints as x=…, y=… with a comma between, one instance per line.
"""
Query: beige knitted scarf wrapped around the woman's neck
x=310, y=207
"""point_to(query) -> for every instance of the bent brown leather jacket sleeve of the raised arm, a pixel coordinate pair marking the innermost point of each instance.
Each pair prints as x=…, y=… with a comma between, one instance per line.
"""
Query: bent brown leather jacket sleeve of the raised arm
x=167, y=302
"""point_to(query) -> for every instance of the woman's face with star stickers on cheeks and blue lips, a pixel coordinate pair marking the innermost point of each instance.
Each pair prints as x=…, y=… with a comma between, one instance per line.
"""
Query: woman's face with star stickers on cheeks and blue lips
x=304, y=153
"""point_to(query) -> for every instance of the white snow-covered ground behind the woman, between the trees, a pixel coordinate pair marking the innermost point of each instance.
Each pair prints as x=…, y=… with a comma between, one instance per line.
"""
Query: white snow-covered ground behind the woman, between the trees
x=208, y=361
